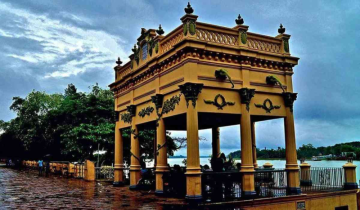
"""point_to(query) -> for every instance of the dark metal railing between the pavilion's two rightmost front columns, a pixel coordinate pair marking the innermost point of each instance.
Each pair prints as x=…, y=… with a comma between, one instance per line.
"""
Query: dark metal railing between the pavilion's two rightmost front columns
x=270, y=183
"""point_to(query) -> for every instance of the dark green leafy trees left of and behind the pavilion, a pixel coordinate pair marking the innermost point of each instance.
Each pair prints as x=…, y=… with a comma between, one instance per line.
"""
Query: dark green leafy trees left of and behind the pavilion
x=68, y=126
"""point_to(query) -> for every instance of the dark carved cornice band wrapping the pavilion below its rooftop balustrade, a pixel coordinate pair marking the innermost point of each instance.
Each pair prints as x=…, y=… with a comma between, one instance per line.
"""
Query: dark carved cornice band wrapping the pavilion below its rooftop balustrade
x=203, y=57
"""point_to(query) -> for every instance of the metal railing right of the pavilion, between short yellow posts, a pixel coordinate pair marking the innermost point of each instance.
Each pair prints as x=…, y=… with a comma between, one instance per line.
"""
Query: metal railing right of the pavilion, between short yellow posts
x=322, y=179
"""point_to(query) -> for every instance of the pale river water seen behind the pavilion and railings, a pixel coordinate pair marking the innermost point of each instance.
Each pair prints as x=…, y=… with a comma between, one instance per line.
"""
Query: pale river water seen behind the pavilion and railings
x=280, y=164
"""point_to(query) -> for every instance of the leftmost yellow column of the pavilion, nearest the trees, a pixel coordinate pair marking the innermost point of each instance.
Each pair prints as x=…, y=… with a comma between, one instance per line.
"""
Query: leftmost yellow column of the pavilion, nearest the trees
x=119, y=163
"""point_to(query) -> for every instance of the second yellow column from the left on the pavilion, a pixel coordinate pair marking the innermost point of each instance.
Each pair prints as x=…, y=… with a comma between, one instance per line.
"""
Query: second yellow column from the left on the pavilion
x=135, y=167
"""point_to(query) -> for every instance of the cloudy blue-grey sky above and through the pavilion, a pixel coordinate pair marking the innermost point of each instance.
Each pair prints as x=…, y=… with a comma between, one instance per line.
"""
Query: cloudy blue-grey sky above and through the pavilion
x=45, y=45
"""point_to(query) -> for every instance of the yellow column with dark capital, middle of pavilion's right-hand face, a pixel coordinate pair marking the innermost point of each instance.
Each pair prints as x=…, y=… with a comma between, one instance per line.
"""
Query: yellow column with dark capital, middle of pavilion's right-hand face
x=247, y=164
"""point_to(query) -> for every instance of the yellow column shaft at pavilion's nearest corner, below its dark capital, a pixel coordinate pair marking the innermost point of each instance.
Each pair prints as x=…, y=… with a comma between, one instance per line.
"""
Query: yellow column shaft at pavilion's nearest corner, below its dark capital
x=193, y=172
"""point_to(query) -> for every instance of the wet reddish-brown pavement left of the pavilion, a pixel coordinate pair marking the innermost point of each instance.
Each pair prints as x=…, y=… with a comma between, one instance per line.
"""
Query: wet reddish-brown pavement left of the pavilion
x=26, y=190
